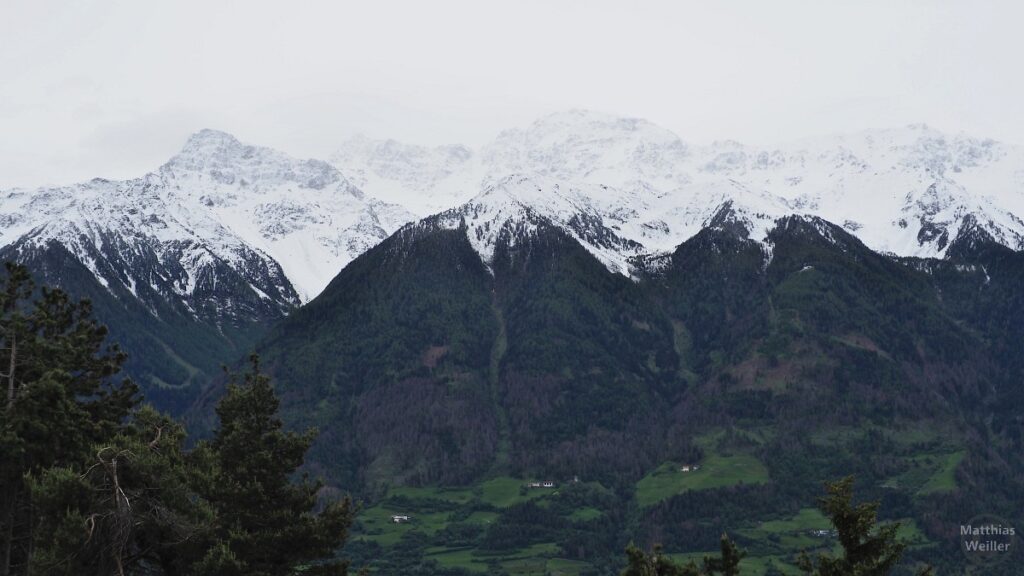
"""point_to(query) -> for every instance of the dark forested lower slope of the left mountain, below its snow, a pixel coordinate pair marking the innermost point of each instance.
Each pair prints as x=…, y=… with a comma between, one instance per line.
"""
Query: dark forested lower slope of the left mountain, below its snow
x=175, y=351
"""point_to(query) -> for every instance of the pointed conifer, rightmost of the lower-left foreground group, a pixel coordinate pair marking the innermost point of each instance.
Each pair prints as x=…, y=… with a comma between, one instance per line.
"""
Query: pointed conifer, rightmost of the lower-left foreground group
x=266, y=524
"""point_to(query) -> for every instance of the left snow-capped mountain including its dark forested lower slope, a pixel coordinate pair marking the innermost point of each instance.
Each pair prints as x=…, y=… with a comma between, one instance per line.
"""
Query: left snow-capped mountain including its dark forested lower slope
x=191, y=264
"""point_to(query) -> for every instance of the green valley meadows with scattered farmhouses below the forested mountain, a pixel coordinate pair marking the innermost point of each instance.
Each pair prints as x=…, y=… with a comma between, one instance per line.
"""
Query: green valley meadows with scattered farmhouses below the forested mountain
x=506, y=526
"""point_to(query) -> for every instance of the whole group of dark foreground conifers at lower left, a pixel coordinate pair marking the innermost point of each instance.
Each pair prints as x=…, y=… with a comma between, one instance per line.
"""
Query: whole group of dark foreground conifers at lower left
x=96, y=482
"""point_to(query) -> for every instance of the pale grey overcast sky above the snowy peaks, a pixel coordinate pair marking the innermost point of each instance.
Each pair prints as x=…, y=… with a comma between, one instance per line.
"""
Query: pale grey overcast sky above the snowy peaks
x=104, y=89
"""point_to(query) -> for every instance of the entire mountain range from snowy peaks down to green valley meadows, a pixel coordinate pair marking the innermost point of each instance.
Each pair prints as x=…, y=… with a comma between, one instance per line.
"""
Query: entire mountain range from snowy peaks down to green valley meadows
x=687, y=340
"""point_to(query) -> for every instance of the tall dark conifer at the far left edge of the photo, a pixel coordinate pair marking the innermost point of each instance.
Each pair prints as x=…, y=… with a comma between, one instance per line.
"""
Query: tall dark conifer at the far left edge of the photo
x=60, y=398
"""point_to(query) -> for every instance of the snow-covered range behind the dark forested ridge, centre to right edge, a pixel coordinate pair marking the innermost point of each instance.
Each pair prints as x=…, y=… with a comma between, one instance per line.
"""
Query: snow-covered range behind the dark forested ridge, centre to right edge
x=908, y=192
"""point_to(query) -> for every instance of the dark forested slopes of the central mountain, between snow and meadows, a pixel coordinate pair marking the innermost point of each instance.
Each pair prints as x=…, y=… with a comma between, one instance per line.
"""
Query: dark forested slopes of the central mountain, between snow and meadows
x=541, y=360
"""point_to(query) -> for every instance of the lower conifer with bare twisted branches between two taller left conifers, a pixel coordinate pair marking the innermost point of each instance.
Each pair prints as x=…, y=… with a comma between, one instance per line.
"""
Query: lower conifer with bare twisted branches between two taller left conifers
x=130, y=512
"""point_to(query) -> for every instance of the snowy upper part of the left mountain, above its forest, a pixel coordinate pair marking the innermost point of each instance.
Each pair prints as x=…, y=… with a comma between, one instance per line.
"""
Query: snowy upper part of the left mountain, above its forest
x=230, y=198
